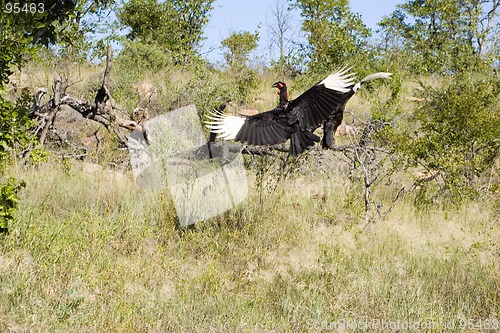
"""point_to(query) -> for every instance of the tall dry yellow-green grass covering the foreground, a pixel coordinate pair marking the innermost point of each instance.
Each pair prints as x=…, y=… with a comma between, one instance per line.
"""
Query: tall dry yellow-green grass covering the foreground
x=97, y=254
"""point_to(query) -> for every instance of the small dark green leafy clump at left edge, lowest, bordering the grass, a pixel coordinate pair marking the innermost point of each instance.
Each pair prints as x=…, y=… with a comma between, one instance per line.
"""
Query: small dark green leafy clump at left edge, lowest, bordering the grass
x=9, y=201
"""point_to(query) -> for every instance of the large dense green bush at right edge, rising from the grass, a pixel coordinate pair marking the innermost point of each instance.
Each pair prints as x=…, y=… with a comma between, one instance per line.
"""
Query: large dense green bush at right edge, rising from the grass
x=458, y=133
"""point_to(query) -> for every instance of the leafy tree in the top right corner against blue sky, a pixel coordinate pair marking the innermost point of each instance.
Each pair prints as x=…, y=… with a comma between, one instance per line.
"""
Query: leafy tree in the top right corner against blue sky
x=440, y=36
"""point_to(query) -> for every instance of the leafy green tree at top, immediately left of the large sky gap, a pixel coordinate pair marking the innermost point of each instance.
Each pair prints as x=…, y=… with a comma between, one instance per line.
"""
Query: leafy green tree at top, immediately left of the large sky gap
x=176, y=26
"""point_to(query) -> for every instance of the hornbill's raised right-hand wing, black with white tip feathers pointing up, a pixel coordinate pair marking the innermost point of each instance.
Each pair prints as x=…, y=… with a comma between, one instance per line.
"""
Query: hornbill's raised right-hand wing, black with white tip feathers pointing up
x=316, y=104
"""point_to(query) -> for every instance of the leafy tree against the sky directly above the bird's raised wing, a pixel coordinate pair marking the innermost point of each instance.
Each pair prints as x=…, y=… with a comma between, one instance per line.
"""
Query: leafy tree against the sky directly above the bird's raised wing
x=335, y=34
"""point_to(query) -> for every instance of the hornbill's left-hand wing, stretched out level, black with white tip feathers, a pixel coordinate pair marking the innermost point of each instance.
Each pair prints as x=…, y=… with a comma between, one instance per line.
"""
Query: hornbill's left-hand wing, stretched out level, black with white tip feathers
x=266, y=128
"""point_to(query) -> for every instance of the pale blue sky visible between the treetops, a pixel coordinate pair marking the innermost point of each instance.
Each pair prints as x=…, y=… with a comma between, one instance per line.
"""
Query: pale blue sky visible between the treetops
x=255, y=15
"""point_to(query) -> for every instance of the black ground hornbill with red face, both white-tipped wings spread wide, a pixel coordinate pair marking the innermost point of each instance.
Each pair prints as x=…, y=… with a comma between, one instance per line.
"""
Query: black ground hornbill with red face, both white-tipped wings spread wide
x=291, y=119
